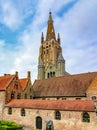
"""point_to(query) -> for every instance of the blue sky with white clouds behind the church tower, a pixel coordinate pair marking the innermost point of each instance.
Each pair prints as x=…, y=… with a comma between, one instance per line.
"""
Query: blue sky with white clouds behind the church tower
x=21, y=24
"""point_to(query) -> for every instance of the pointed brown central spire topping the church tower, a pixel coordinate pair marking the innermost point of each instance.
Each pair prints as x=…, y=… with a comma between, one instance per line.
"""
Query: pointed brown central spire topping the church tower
x=50, y=29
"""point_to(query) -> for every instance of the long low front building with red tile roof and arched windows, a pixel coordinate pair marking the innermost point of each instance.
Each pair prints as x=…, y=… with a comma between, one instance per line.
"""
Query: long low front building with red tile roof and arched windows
x=65, y=114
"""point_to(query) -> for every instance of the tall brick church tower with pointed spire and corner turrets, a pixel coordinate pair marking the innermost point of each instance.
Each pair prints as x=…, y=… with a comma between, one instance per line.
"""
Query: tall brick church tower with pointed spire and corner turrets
x=50, y=62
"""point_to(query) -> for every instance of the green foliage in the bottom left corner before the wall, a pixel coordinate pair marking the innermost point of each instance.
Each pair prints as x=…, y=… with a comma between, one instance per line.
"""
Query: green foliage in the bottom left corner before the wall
x=9, y=125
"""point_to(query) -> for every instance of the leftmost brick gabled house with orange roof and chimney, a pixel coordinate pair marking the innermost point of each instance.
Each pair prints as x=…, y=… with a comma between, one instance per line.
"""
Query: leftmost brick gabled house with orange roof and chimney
x=11, y=86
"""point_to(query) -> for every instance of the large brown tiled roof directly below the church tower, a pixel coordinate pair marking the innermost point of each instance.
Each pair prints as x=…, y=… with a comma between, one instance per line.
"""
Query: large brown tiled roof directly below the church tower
x=71, y=85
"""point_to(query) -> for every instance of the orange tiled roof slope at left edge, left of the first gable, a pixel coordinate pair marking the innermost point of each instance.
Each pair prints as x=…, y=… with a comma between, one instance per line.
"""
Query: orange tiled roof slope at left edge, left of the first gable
x=5, y=80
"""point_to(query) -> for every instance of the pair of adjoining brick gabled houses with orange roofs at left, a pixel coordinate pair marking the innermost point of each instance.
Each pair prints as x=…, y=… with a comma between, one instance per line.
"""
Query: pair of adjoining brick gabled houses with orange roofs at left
x=14, y=88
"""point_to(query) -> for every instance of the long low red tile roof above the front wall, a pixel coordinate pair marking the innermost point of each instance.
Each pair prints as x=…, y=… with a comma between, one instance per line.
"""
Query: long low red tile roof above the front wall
x=68, y=105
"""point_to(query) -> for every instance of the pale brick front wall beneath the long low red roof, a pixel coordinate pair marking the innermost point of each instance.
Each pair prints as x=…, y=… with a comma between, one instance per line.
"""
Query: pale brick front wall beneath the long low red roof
x=70, y=120
